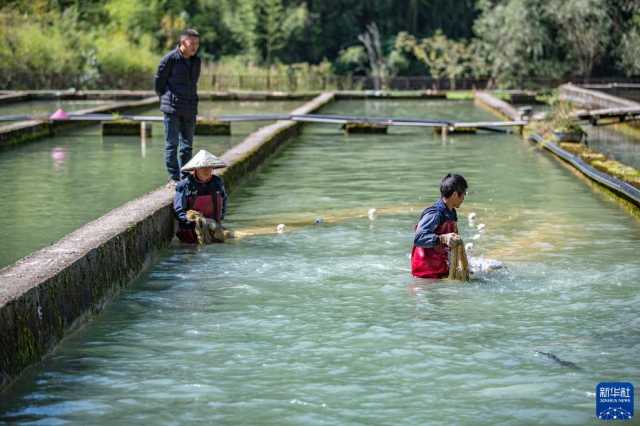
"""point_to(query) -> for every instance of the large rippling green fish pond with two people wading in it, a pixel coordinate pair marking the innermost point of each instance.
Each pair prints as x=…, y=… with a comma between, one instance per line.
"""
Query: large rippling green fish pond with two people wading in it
x=323, y=324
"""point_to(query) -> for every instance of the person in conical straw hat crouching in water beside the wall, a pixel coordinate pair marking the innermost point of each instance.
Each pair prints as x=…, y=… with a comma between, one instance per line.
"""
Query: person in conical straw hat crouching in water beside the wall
x=201, y=190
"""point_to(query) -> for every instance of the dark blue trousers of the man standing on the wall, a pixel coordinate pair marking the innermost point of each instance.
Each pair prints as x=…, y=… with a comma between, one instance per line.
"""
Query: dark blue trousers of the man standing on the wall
x=178, y=136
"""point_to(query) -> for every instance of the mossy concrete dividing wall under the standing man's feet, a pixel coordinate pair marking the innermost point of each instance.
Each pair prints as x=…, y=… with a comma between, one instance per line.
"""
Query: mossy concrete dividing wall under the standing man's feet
x=50, y=292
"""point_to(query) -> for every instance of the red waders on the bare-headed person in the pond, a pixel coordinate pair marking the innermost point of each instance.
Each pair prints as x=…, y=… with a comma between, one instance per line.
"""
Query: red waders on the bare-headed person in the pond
x=433, y=262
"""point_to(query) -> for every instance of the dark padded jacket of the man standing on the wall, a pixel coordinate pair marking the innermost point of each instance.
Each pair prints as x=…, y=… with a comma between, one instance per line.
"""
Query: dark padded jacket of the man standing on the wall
x=176, y=82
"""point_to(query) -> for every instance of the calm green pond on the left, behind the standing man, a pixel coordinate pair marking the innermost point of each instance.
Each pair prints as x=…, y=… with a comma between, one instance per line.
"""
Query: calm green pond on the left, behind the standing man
x=55, y=185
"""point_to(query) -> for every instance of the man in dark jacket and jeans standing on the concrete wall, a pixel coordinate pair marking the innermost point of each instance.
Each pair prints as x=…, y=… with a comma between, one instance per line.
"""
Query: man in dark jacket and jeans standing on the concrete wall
x=176, y=82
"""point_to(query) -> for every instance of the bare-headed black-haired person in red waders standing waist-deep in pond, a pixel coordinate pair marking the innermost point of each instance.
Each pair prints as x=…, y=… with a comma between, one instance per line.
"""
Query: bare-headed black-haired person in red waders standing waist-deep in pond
x=436, y=230
